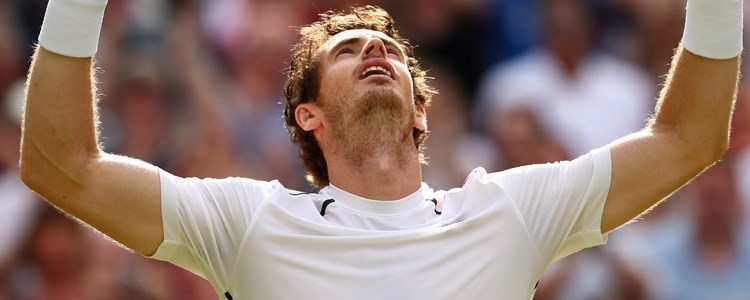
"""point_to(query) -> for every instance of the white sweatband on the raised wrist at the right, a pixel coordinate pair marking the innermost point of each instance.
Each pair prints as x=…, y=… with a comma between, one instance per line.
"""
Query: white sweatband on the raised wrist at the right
x=713, y=28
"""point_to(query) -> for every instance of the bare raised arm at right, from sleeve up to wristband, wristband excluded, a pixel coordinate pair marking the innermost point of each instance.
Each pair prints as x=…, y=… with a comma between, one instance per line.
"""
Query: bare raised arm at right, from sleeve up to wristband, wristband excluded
x=688, y=133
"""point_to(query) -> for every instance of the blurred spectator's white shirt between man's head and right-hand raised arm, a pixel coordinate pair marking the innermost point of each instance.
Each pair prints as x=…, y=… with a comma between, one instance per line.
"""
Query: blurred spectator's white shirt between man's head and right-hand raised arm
x=605, y=99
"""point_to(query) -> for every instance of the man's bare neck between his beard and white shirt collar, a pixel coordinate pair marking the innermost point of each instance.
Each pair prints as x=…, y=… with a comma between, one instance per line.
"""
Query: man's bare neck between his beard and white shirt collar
x=382, y=174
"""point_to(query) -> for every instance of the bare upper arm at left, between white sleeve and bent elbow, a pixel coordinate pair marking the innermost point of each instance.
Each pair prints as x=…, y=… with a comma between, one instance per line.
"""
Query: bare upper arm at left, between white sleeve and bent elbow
x=120, y=197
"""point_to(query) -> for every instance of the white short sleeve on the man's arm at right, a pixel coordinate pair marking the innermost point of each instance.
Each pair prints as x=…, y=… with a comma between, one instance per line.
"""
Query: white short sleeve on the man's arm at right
x=561, y=203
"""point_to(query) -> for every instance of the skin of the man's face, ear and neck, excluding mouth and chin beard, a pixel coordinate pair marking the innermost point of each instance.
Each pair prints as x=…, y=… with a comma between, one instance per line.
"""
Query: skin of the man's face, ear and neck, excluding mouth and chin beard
x=388, y=161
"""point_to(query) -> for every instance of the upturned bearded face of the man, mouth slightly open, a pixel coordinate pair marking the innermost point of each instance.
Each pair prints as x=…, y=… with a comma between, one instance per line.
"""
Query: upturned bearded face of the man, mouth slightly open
x=366, y=92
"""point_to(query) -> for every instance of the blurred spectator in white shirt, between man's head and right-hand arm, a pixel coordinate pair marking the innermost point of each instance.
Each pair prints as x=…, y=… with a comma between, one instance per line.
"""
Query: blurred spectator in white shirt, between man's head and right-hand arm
x=583, y=98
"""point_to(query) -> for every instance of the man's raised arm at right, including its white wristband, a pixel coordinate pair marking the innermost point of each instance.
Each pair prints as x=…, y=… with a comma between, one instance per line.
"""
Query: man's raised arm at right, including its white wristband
x=690, y=129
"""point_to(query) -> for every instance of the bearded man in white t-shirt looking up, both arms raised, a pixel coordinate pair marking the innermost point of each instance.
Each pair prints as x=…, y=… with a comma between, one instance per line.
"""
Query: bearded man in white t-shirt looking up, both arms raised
x=356, y=106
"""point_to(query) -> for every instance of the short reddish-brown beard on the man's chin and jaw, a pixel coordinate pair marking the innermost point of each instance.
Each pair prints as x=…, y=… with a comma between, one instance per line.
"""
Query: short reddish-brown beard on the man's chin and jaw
x=378, y=123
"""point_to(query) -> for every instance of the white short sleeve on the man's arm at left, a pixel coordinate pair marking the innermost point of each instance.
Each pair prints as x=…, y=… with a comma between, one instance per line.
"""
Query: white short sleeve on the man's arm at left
x=205, y=220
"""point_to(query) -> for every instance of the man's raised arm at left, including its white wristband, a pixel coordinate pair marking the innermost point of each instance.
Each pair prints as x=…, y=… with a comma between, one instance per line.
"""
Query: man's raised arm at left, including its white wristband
x=60, y=156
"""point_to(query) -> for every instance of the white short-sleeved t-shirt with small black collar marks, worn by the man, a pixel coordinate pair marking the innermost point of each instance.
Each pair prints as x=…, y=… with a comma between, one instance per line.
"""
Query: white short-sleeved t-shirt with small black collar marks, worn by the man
x=490, y=239
